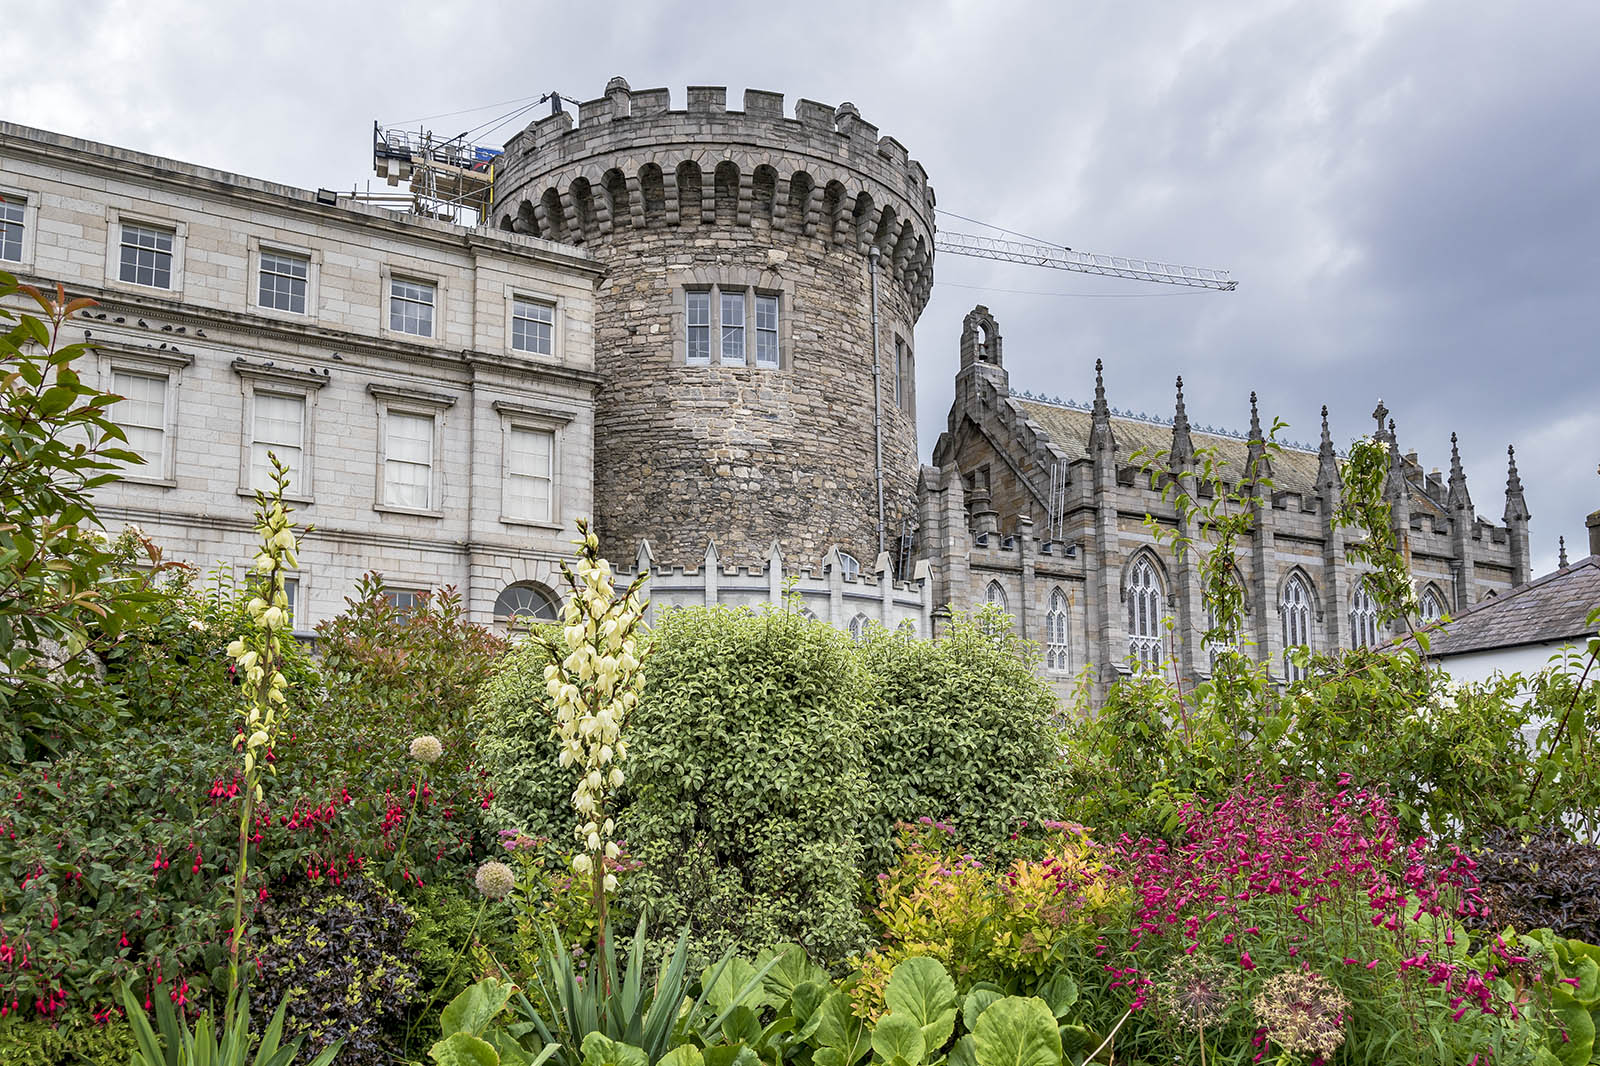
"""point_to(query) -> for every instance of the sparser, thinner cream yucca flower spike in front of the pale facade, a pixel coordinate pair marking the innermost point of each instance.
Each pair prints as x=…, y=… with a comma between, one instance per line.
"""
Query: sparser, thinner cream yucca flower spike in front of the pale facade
x=257, y=652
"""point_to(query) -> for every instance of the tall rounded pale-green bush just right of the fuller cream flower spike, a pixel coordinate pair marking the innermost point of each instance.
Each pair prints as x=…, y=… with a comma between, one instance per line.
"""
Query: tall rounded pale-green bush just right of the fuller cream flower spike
x=750, y=782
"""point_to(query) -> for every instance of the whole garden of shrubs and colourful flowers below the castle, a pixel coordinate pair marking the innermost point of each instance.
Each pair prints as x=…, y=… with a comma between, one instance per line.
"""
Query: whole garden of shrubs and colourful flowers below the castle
x=740, y=838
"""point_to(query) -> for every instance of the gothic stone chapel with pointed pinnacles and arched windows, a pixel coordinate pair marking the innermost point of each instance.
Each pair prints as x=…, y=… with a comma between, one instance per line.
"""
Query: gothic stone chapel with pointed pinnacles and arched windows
x=1041, y=507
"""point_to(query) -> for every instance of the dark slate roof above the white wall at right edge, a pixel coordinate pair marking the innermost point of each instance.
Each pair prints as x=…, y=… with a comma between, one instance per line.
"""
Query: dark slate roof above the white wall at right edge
x=1554, y=607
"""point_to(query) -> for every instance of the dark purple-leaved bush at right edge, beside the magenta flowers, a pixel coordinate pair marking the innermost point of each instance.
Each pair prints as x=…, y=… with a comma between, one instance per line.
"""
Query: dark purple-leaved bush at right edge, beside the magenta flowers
x=1542, y=881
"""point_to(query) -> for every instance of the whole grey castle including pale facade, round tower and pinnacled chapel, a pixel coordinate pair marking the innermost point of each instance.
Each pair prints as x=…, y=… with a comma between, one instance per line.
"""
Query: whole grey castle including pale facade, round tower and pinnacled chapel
x=697, y=326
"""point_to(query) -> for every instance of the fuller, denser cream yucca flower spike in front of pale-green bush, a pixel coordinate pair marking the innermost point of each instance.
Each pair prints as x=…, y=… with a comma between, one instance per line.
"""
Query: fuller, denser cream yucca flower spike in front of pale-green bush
x=594, y=689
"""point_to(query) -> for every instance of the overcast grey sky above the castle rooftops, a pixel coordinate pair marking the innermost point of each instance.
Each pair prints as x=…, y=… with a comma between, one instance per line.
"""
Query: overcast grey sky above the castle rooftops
x=1407, y=193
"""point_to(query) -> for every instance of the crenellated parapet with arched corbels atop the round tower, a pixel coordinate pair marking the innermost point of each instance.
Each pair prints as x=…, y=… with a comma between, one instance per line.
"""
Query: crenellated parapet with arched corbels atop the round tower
x=631, y=162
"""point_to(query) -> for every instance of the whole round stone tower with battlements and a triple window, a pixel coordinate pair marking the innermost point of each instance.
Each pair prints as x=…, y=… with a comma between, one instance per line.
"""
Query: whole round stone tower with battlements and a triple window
x=734, y=331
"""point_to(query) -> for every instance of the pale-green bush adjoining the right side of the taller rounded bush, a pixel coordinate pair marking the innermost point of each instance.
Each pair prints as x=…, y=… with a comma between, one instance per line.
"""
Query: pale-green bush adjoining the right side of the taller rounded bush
x=964, y=732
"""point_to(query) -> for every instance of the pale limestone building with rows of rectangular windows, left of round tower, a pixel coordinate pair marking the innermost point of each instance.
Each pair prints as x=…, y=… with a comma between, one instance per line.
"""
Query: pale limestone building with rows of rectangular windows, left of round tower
x=436, y=455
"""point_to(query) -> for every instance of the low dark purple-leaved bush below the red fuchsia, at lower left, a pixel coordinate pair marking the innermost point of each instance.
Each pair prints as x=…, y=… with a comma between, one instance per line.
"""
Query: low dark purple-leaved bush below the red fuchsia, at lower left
x=337, y=955
